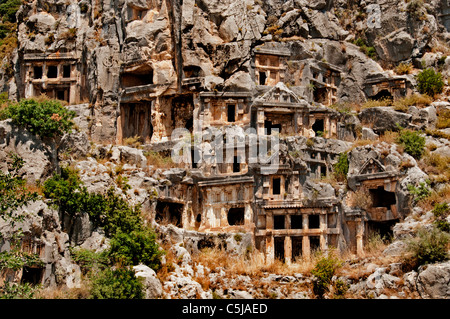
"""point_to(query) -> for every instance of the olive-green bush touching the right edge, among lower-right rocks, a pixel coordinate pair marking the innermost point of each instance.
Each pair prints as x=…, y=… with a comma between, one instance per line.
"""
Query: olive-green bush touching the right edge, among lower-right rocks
x=430, y=246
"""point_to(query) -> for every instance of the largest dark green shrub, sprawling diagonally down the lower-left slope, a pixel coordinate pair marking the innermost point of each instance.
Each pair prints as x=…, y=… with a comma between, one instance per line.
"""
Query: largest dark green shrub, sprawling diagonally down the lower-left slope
x=131, y=244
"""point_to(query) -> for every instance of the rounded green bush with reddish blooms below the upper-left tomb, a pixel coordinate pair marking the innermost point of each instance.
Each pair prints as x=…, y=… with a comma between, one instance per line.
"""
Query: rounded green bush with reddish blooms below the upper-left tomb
x=46, y=118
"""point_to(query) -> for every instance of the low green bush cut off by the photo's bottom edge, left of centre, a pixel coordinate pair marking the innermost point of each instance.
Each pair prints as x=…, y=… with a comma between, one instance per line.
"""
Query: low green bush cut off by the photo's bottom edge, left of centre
x=116, y=284
